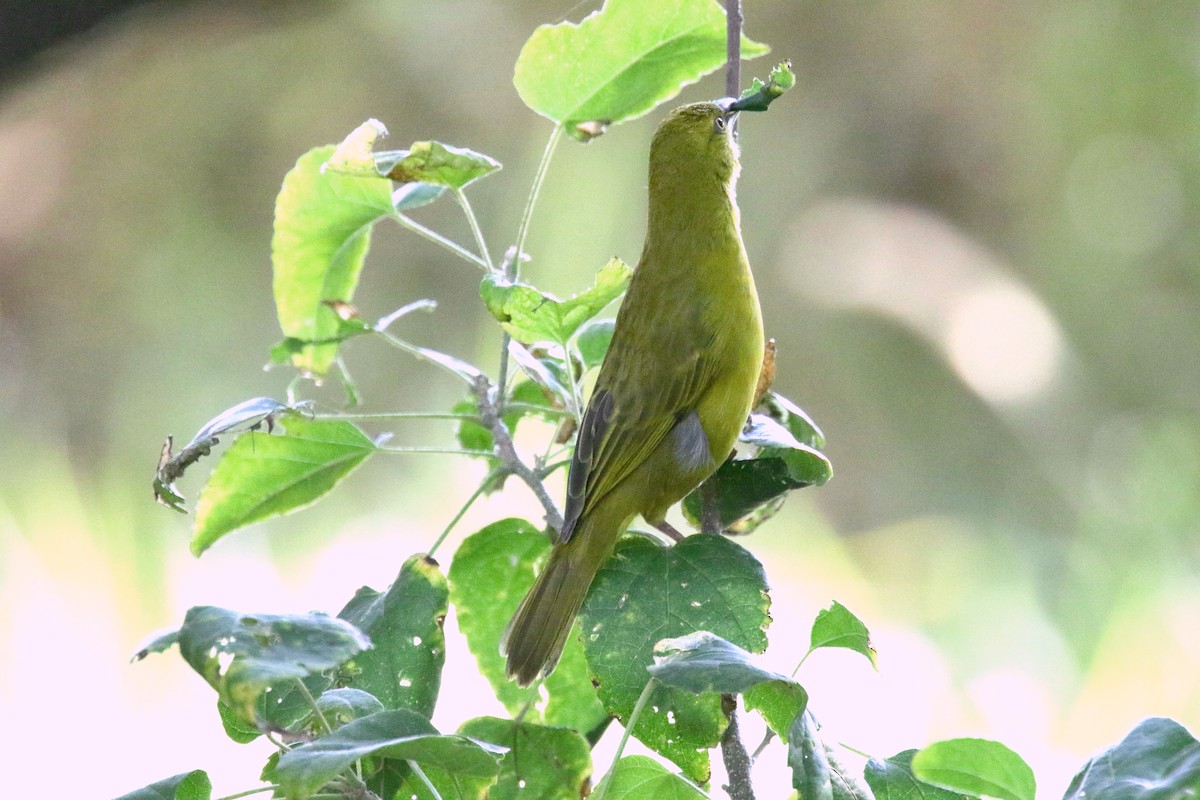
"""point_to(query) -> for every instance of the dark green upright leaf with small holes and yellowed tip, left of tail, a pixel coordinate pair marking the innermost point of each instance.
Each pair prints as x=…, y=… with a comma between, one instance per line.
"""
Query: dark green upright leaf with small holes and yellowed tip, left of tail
x=404, y=670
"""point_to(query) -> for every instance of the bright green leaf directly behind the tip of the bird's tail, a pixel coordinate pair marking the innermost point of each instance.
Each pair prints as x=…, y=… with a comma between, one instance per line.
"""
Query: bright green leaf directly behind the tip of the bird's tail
x=490, y=575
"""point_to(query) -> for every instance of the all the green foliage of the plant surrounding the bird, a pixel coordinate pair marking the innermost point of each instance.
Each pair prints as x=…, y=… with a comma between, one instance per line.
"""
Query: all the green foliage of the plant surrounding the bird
x=668, y=637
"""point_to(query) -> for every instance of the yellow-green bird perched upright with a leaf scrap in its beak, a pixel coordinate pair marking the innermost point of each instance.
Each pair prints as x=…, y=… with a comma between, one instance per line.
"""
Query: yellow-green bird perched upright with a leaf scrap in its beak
x=677, y=383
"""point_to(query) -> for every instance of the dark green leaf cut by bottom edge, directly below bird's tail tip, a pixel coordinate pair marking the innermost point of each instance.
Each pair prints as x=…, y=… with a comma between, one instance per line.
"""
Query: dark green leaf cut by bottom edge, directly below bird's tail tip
x=545, y=763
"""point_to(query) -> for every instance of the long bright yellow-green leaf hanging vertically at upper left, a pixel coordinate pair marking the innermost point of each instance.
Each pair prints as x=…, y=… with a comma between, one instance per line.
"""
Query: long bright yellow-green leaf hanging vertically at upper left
x=323, y=225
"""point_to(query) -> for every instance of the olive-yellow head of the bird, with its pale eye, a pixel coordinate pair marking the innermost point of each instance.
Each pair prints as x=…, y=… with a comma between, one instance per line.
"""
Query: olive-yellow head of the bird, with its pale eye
x=698, y=136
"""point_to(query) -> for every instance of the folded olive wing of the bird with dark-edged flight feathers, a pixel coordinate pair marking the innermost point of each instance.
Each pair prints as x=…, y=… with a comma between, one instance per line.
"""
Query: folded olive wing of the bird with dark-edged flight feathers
x=627, y=419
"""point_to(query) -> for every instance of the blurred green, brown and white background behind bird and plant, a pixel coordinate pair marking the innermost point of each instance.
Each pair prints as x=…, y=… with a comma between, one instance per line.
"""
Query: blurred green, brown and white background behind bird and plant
x=974, y=228
